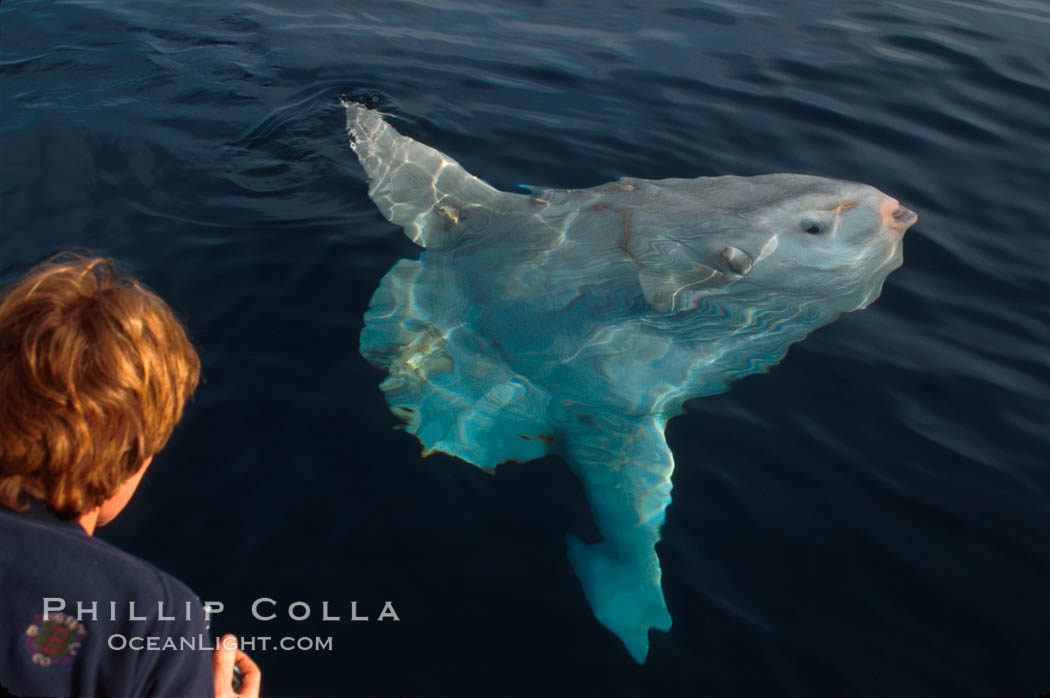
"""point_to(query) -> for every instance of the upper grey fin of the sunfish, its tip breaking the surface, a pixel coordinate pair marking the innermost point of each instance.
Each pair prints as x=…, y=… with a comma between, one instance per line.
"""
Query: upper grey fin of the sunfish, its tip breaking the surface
x=415, y=186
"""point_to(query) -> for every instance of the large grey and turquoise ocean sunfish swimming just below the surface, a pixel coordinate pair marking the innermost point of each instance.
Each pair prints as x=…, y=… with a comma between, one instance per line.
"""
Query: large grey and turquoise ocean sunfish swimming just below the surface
x=578, y=323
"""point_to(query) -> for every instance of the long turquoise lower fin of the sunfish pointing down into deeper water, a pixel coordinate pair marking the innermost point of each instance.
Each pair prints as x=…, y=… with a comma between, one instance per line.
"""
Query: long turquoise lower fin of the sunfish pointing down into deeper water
x=625, y=468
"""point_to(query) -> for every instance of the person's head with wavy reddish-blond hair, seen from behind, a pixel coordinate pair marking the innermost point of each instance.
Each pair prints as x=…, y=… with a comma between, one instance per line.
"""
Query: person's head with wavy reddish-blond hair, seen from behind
x=95, y=370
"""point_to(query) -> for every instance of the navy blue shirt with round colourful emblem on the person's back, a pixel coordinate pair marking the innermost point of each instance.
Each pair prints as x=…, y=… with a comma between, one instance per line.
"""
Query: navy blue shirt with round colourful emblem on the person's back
x=48, y=563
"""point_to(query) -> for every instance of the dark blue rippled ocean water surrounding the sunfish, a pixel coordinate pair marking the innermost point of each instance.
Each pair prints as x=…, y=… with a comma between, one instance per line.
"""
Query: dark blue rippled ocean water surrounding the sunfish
x=870, y=519
